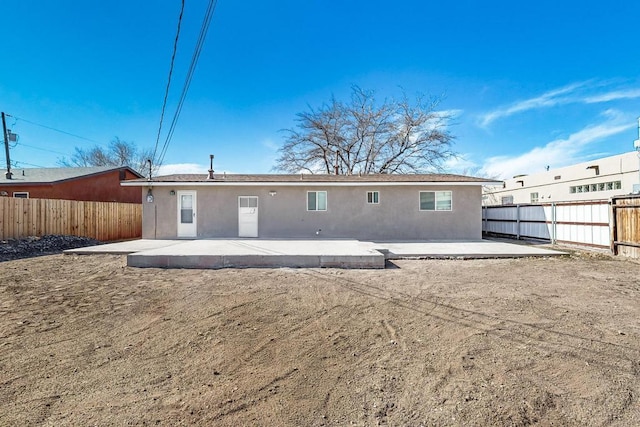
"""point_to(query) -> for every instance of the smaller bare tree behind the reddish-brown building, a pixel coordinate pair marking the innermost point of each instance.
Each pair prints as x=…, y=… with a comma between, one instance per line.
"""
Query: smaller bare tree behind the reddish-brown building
x=119, y=153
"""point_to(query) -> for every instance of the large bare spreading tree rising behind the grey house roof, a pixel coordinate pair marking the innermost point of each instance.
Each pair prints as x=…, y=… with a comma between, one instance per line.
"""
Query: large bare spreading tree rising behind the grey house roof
x=361, y=136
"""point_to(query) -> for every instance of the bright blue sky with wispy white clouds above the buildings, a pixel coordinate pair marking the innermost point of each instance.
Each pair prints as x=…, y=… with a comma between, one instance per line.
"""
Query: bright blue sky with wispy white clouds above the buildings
x=530, y=84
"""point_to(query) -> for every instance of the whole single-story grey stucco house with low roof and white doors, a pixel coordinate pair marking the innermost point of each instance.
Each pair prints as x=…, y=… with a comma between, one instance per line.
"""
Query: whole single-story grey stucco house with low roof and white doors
x=367, y=207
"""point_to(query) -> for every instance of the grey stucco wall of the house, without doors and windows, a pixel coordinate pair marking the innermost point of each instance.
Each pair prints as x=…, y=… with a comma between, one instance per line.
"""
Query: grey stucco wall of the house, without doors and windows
x=396, y=217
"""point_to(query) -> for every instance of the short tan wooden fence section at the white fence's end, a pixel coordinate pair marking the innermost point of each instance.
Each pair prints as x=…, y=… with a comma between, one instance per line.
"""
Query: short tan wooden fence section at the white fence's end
x=625, y=230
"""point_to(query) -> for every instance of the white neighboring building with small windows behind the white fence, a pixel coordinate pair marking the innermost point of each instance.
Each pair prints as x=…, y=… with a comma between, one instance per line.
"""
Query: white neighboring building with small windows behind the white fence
x=616, y=175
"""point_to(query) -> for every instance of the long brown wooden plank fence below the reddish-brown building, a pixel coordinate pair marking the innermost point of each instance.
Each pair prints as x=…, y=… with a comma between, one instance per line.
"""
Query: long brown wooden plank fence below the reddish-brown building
x=105, y=221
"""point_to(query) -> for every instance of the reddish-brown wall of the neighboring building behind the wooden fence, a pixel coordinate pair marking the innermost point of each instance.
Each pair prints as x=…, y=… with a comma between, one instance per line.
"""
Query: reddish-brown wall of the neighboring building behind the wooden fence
x=104, y=187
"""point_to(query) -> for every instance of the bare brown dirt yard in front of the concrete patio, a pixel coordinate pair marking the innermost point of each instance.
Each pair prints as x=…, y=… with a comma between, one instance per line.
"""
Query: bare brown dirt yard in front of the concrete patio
x=85, y=340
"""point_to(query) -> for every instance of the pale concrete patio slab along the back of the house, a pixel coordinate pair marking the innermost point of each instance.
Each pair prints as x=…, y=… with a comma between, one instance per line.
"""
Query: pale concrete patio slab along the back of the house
x=221, y=253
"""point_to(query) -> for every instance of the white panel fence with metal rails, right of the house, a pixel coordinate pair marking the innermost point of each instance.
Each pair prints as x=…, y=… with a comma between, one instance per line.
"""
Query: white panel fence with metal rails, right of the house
x=581, y=223
